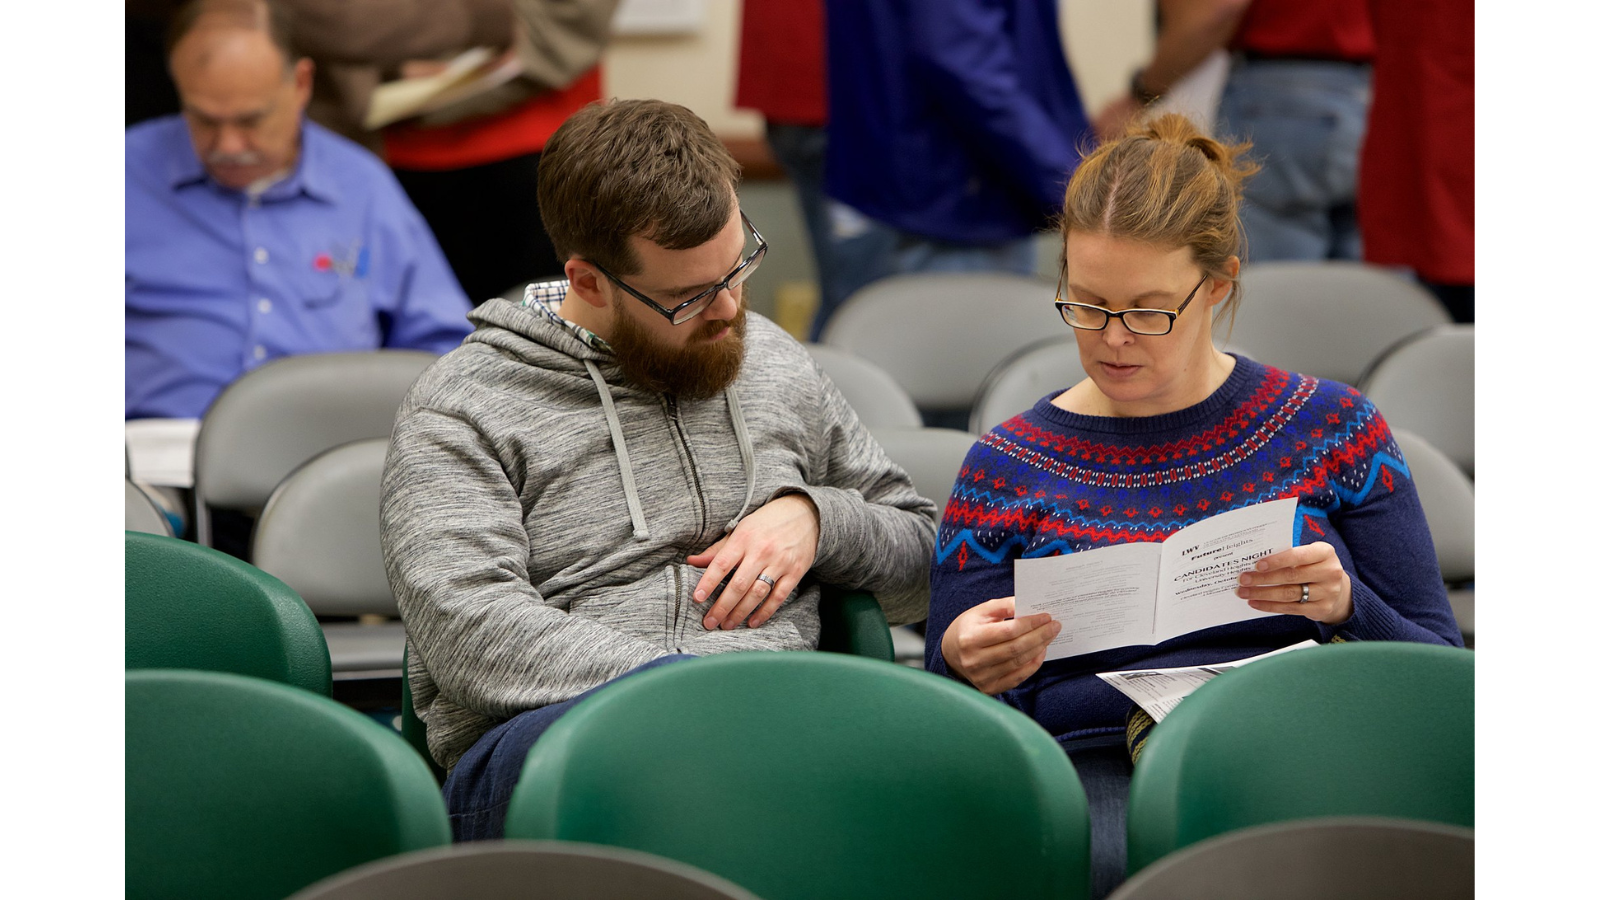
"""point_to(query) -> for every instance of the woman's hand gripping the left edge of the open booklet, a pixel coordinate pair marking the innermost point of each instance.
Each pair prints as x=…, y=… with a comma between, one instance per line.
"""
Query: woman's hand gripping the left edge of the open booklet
x=993, y=651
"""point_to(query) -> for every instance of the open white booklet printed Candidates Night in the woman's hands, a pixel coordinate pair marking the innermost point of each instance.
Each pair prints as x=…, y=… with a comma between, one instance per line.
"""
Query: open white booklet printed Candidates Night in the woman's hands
x=1146, y=593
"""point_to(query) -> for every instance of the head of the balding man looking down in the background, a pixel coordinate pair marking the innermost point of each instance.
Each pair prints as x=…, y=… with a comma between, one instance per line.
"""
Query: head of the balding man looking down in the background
x=242, y=87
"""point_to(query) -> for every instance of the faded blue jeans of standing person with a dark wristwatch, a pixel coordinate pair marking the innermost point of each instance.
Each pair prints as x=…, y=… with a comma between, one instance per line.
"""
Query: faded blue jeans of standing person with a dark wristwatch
x=1306, y=121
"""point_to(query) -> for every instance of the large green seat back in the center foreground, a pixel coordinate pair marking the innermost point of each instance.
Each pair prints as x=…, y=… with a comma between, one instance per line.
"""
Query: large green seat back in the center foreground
x=814, y=776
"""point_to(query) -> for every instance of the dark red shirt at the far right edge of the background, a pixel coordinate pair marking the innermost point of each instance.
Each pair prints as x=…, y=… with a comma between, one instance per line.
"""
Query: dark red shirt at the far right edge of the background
x=1417, y=193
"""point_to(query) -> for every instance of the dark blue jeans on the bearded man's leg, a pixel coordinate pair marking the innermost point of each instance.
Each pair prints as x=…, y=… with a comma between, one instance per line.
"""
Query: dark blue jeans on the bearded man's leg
x=478, y=792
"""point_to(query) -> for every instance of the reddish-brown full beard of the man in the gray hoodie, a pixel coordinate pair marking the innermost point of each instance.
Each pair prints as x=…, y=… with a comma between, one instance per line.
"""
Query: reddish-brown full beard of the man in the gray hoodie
x=695, y=372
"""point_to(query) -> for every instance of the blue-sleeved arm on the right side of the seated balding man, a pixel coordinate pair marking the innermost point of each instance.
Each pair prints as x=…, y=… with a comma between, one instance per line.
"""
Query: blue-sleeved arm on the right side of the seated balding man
x=426, y=310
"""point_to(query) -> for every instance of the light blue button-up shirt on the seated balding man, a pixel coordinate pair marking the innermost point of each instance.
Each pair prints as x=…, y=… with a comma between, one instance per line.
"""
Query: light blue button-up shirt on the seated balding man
x=330, y=259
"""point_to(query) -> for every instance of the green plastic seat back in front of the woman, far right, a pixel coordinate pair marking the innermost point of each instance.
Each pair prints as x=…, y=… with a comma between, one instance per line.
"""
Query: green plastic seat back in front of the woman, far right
x=1348, y=729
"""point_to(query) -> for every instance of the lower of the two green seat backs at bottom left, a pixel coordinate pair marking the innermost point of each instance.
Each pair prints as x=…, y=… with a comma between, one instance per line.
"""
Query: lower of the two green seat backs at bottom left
x=246, y=789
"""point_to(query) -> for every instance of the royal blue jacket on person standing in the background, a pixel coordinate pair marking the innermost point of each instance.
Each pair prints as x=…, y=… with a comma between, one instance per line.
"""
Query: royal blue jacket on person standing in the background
x=951, y=119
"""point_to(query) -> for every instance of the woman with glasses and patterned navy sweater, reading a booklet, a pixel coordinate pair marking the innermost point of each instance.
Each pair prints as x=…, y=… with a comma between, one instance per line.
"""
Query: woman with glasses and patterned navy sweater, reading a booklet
x=1164, y=433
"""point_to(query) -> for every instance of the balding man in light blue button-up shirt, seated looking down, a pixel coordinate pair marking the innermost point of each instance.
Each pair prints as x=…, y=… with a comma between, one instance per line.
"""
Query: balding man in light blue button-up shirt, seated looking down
x=254, y=235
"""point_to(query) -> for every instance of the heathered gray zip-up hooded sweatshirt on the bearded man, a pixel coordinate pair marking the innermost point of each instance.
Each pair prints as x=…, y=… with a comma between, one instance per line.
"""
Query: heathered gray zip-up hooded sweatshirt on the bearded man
x=538, y=510
